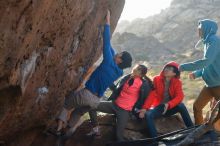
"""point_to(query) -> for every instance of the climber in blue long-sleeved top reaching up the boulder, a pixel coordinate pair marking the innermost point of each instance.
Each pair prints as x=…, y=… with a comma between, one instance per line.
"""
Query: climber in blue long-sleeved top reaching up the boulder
x=77, y=103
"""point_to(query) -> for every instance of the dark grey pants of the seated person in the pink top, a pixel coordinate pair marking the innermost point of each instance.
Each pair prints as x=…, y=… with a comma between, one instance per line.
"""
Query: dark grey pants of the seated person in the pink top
x=122, y=116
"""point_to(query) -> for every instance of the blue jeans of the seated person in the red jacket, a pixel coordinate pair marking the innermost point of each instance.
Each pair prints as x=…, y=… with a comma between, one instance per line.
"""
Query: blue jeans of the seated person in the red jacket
x=157, y=112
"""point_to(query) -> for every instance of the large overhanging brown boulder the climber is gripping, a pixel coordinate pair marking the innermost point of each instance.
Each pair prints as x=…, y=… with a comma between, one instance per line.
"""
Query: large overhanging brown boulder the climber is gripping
x=46, y=49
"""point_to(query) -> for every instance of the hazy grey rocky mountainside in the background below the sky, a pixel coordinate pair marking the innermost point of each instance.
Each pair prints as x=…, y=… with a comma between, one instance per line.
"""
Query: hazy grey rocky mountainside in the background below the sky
x=174, y=32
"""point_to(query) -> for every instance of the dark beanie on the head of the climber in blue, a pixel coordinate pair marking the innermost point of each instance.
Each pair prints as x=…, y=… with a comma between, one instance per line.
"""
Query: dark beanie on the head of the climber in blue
x=126, y=60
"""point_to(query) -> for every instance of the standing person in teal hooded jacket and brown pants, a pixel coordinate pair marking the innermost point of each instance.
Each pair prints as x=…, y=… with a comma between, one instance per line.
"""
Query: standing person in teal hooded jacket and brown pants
x=208, y=68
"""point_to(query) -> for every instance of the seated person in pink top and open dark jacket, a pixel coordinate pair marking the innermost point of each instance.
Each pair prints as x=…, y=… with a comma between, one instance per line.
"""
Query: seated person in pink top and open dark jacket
x=129, y=95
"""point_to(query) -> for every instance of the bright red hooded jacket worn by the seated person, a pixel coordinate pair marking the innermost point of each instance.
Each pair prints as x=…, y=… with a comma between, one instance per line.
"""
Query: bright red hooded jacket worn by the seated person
x=156, y=96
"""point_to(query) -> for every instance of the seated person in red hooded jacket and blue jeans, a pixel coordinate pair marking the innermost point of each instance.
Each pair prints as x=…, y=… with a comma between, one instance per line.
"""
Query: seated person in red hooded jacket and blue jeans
x=165, y=99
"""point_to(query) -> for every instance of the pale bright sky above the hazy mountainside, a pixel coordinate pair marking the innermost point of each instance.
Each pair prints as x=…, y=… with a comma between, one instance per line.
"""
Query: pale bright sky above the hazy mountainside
x=143, y=8
